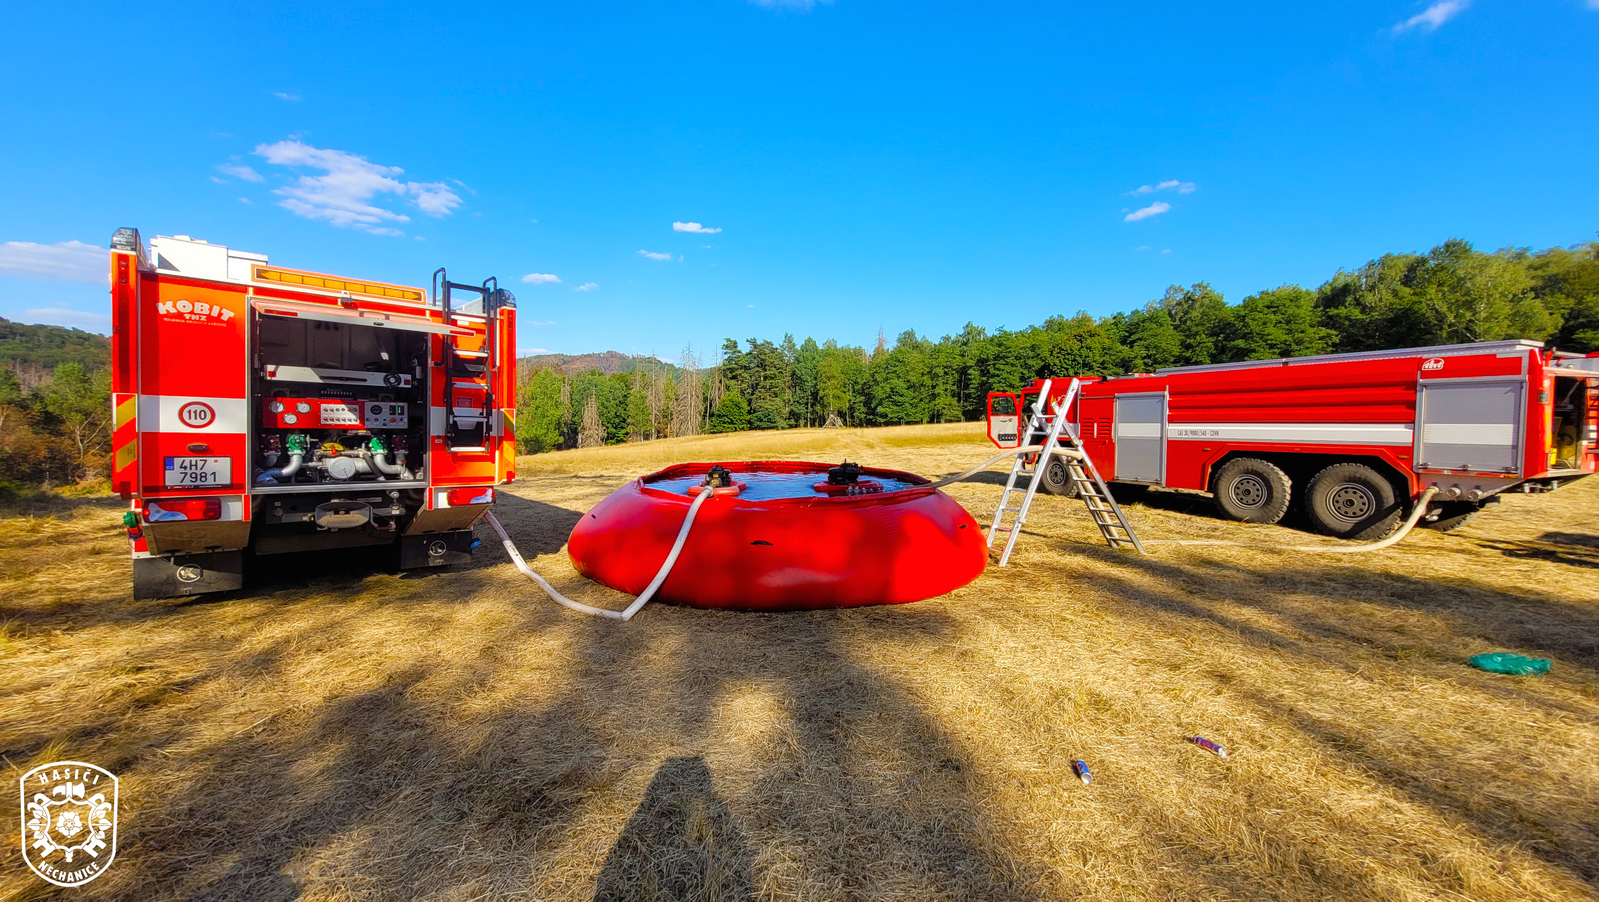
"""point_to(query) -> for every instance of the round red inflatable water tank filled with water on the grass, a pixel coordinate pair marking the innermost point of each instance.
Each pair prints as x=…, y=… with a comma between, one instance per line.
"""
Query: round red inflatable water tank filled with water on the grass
x=783, y=545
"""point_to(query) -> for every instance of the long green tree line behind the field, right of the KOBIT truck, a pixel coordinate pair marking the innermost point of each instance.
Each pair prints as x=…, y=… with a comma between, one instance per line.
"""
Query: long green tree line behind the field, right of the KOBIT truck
x=1449, y=295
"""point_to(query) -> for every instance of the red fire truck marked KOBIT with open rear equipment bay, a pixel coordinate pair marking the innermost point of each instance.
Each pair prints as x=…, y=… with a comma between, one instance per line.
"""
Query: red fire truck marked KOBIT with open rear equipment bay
x=273, y=410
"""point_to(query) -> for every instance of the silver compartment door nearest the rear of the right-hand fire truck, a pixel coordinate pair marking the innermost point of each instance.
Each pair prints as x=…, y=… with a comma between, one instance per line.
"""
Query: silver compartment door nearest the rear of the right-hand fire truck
x=1473, y=425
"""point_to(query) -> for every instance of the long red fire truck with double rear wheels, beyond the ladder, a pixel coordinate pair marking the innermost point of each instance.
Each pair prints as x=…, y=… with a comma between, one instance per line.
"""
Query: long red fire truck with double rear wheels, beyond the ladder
x=1355, y=437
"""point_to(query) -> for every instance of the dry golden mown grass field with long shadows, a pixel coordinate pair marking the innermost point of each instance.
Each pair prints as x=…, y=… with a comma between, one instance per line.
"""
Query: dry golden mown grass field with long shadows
x=338, y=732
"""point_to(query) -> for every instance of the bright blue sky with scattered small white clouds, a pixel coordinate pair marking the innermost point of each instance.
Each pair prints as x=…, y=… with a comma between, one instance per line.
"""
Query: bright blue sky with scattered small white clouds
x=714, y=169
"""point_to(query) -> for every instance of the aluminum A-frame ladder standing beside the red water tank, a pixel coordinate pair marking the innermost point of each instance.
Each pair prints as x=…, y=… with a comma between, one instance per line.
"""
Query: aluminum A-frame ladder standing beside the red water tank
x=1059, y=439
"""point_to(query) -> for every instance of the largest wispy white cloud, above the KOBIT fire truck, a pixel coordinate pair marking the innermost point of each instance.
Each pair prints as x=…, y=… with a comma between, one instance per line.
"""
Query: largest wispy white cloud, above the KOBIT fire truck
x=348, y=188
